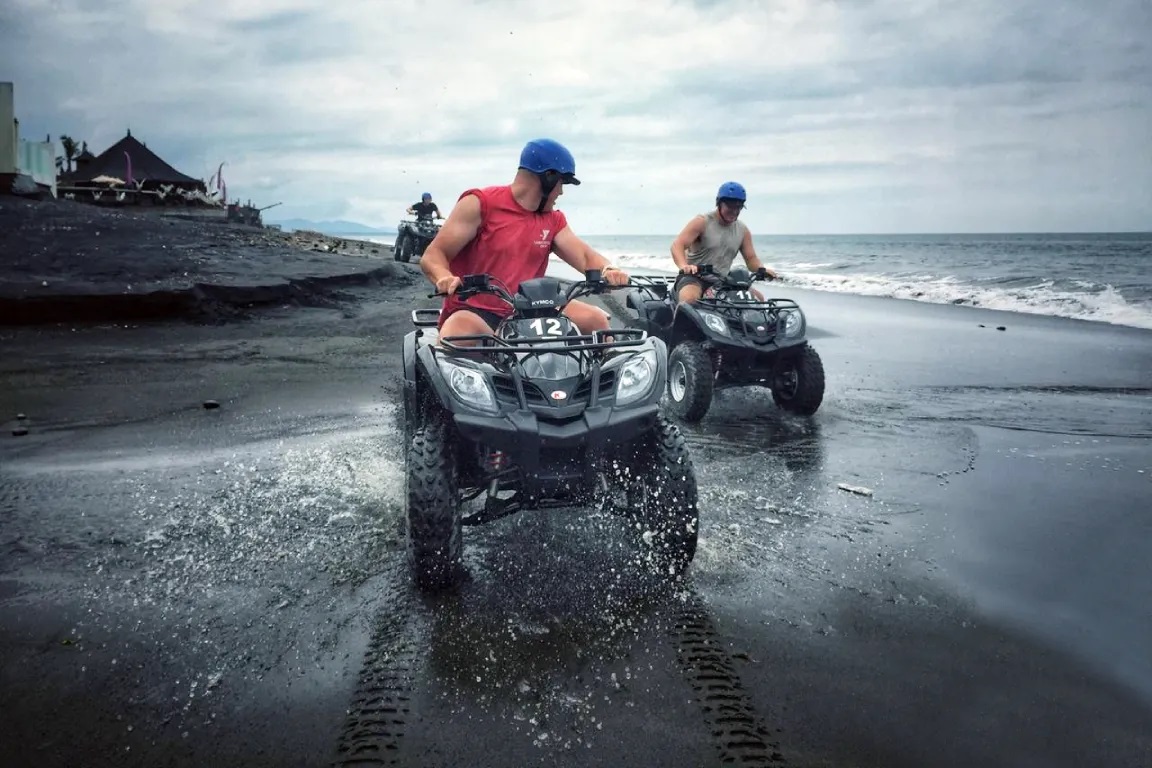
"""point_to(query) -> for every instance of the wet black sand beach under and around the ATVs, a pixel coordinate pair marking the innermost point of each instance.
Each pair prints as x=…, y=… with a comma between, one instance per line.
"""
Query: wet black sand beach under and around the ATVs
x=188, y=587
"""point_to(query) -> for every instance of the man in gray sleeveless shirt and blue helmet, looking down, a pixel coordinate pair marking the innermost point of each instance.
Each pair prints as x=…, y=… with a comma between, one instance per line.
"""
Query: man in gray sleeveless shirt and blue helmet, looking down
x=715, y=239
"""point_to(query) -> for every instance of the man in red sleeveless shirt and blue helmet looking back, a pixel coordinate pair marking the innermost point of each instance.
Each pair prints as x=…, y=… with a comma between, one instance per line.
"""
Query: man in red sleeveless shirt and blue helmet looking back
x=509, y=233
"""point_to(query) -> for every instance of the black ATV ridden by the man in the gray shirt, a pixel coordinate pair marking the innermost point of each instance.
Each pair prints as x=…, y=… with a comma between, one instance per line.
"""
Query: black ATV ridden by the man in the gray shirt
x=730, y=339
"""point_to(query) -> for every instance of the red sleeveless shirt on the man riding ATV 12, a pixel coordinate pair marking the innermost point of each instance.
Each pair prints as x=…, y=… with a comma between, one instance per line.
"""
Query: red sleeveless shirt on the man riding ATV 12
x=512, y=245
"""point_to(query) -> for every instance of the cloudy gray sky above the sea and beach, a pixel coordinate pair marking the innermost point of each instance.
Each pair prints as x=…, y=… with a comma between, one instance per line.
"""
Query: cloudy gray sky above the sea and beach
x=839, y=117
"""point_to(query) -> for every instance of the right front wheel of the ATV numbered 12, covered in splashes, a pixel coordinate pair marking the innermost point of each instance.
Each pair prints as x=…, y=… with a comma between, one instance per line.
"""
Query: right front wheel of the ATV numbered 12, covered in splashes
x=663, y=498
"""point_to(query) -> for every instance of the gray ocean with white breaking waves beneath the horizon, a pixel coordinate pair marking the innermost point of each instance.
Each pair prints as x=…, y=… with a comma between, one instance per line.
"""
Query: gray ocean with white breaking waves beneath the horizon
x=1105, y=278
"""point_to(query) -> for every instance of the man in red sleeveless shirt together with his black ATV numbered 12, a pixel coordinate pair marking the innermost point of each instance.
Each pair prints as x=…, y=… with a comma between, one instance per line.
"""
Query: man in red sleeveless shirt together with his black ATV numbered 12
x=527, y=399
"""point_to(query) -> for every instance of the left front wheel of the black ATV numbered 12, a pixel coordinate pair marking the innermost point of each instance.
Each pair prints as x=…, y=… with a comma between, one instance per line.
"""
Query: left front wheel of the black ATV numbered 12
x=435, y=536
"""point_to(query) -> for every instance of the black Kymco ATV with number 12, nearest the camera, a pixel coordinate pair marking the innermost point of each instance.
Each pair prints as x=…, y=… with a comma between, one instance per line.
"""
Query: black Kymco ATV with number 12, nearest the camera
x=537, y=415
